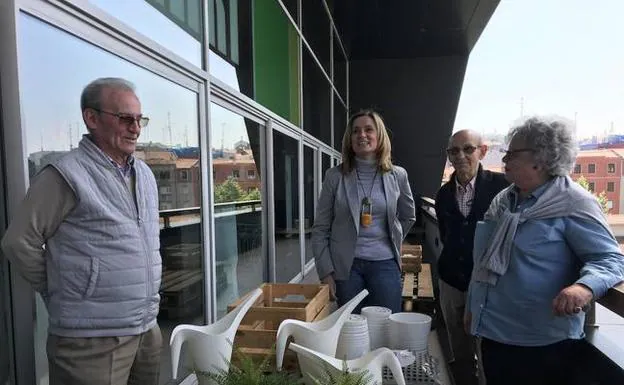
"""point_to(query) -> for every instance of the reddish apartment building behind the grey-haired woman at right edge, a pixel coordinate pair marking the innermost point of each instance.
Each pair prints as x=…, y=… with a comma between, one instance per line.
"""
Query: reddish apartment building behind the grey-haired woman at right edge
x=604, y=171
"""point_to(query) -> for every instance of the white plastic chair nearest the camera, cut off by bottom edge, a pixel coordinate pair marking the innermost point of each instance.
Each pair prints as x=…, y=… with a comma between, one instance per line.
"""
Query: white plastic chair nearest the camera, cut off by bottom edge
x=373, y=362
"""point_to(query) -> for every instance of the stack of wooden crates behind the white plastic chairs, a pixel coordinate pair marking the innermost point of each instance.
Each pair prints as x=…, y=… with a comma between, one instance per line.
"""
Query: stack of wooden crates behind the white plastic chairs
x=257, y=333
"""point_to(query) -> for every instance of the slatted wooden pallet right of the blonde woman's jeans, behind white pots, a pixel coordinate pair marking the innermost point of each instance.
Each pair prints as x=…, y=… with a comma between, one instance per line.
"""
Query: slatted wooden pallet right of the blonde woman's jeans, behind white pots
x=418, y=291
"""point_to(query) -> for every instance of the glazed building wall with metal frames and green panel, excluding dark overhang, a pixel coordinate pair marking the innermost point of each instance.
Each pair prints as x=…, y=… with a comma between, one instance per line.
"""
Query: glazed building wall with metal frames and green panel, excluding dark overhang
x=245, y=78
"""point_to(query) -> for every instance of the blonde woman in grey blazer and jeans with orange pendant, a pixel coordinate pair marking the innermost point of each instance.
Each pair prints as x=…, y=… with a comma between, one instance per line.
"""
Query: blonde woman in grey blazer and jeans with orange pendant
x=363, y=214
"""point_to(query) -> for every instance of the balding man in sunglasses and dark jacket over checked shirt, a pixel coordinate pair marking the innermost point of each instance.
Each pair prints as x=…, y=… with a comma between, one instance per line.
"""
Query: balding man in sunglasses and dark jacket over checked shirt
x=460, y=203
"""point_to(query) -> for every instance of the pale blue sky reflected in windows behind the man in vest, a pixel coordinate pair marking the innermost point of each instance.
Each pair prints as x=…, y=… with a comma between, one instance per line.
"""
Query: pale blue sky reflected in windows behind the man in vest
x=50, y=93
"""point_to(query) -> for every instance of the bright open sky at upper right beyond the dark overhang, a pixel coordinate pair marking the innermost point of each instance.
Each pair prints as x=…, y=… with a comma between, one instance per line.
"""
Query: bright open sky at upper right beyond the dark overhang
x=547, y=57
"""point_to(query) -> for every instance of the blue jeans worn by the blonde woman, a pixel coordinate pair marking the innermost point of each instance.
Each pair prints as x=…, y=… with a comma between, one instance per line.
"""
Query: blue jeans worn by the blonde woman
x=382, y=279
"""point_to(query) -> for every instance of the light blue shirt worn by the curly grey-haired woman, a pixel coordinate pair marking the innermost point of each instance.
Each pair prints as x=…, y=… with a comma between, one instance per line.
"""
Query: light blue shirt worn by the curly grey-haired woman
x=547, y=256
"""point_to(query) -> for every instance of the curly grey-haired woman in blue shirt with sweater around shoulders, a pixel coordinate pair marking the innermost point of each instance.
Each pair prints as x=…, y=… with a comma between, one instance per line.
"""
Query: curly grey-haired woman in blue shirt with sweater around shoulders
x=549, y=254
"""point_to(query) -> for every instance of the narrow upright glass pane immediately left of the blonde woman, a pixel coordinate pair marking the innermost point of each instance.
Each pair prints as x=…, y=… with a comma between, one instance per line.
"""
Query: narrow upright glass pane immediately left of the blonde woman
x=310, y=168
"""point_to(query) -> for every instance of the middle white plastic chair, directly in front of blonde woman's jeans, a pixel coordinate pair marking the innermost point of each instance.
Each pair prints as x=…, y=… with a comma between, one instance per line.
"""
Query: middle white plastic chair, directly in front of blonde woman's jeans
x=321, y=336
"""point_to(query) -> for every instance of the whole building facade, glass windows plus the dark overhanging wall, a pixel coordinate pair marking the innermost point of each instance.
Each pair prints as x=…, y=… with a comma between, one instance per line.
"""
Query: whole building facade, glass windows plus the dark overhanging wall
x=272, y=78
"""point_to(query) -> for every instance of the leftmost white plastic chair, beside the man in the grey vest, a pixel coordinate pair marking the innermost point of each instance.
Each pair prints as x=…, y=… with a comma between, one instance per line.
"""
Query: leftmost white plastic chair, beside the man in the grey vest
x=210, y=345
